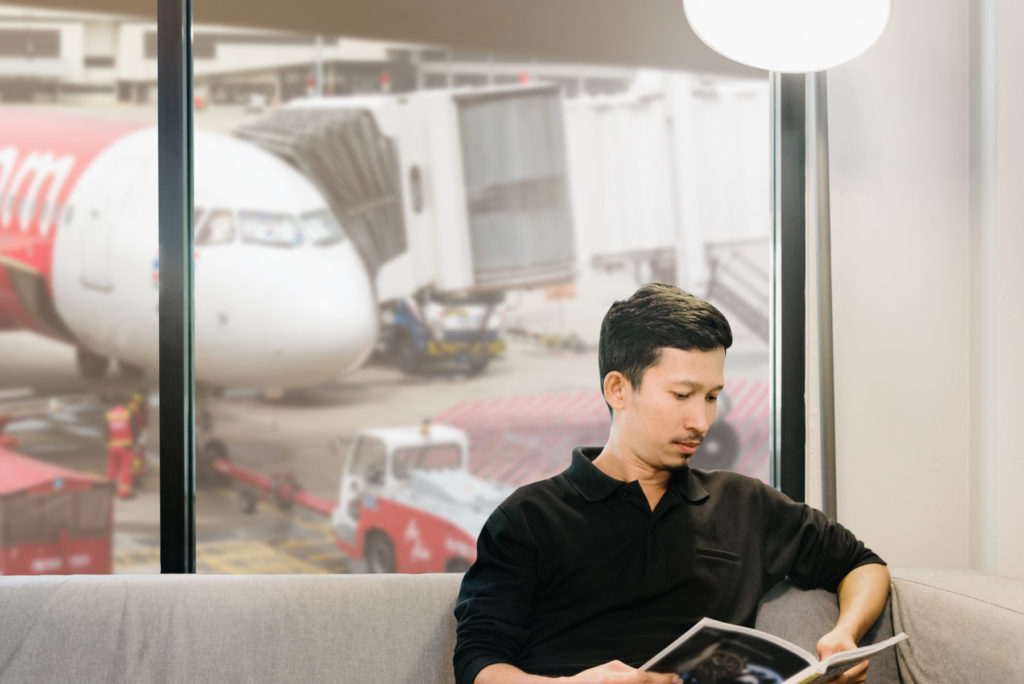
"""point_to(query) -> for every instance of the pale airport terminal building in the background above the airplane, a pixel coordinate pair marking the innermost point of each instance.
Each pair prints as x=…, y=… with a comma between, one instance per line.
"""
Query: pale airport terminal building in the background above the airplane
x=76, y=58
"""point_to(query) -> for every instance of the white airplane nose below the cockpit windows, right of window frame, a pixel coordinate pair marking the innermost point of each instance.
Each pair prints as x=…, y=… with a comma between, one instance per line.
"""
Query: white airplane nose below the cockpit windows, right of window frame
x=304, y=318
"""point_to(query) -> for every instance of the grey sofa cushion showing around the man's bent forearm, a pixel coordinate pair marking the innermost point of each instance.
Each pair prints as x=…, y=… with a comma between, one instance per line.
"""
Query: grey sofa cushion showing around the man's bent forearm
x=803, y=617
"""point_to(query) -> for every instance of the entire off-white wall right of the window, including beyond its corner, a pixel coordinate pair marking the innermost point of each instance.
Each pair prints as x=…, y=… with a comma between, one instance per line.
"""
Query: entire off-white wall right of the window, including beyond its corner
x=928, y=322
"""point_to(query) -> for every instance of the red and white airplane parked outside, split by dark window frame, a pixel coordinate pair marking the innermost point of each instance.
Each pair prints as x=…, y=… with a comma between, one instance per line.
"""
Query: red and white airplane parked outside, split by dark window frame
x=282, y=297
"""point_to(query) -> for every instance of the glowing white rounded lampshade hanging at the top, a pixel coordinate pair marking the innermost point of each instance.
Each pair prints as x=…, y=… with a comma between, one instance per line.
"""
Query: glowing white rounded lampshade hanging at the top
x=789, y=36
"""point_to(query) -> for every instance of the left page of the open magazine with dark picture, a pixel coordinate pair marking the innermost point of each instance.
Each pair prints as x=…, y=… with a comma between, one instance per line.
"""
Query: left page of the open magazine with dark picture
x=715, y=653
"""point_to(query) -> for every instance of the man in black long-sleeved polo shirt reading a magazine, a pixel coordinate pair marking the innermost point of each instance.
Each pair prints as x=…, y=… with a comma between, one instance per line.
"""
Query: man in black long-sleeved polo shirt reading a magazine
x=627, y=548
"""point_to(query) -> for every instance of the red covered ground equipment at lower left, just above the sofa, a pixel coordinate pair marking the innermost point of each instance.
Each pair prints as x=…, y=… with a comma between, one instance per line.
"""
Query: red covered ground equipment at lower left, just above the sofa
x=53, y=521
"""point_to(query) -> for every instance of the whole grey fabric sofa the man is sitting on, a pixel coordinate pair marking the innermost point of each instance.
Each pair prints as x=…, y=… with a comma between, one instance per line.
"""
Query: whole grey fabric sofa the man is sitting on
x=964, y=627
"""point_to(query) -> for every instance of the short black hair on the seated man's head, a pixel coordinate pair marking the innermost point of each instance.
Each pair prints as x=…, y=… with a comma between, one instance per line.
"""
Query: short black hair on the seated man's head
x=658, y=316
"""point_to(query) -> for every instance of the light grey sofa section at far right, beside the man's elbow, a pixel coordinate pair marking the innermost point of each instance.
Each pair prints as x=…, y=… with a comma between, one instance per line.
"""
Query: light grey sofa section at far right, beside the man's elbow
x=964, y=626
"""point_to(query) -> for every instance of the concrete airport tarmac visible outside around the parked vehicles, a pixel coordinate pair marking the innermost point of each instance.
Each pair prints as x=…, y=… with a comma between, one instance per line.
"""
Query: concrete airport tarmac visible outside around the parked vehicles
x=292, y=433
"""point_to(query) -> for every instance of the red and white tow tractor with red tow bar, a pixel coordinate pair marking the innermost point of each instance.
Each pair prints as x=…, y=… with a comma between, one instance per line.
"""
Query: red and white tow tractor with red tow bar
x=407, y=501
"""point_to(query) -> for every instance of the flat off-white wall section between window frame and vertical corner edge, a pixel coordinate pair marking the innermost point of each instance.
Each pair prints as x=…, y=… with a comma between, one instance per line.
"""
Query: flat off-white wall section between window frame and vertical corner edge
x=899, y=120
